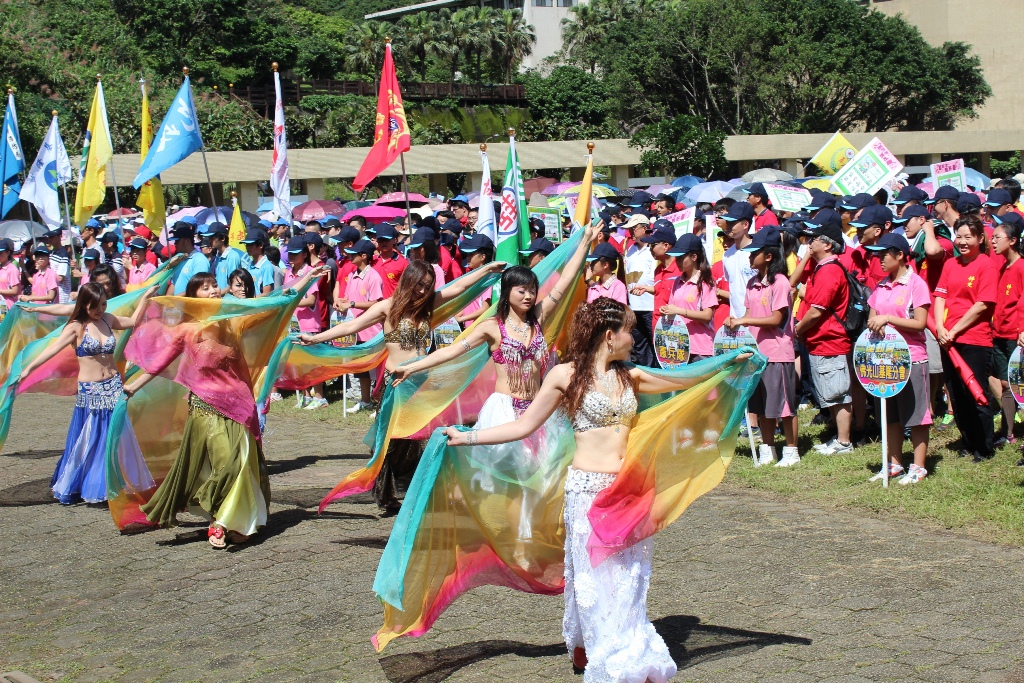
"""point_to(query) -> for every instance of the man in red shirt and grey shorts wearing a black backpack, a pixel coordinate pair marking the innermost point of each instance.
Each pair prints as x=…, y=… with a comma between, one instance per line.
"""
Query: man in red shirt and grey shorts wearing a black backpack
x=825, y=306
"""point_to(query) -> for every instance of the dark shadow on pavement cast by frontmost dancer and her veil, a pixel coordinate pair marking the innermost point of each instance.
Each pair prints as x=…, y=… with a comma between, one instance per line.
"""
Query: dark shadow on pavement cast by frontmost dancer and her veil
x=690, y=644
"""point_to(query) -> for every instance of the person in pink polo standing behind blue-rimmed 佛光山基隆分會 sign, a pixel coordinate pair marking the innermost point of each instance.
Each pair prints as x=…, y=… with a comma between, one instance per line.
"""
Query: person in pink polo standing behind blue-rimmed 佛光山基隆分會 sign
x=903, y=301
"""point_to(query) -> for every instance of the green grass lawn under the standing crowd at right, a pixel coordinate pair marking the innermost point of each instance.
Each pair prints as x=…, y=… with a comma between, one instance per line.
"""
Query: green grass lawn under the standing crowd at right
x=985, y=501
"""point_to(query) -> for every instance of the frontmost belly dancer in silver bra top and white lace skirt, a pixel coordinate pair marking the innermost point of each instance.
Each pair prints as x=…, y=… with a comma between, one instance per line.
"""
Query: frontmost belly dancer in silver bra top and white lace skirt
x=606, y=625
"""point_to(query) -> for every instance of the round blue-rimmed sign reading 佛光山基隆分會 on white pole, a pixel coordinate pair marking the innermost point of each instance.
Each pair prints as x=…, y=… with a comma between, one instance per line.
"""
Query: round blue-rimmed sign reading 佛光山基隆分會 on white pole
x=882, y=364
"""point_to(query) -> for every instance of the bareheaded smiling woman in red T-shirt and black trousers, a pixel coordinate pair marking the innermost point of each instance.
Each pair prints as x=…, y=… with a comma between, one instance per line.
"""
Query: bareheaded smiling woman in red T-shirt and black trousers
x=965, y=301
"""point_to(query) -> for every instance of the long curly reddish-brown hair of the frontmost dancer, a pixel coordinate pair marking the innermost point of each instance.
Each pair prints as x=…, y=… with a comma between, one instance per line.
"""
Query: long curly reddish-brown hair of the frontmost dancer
x=589, y=325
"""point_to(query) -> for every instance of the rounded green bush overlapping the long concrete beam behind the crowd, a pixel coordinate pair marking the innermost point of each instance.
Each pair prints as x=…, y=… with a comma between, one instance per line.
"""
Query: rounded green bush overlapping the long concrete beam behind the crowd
x=681, y=147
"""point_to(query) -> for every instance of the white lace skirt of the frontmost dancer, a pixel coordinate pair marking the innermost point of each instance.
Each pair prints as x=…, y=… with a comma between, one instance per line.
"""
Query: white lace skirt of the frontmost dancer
x=607, y=607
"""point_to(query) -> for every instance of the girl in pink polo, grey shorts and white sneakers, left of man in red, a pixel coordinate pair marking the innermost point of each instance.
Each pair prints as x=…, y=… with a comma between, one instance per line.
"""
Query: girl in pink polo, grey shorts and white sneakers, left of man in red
x=769, y=301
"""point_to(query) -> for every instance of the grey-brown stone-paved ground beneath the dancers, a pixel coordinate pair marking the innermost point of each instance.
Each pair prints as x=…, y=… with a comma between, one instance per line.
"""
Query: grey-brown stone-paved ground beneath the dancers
x=746, y=588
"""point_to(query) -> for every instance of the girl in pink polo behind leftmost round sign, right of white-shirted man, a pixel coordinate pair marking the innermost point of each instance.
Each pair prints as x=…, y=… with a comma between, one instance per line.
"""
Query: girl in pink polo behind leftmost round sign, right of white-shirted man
x=693, y=295
